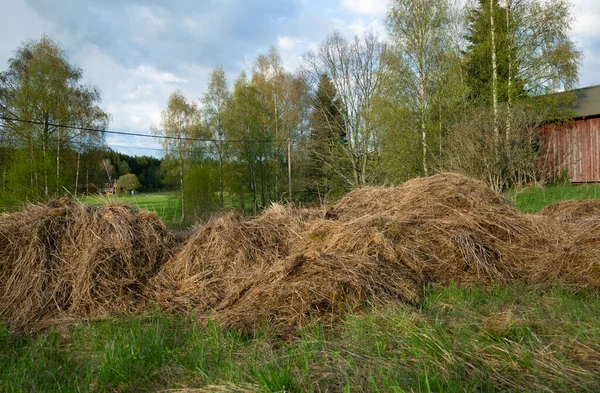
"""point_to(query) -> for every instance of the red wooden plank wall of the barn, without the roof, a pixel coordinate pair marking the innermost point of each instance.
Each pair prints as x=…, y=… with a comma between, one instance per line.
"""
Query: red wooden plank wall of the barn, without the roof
x=574, y=146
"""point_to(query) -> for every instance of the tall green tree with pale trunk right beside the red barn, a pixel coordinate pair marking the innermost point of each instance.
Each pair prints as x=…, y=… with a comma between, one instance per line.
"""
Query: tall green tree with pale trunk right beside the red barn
x=523, y=48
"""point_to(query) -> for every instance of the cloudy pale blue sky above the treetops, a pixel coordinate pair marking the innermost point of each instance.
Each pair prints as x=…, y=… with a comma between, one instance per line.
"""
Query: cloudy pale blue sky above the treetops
x=140, y=51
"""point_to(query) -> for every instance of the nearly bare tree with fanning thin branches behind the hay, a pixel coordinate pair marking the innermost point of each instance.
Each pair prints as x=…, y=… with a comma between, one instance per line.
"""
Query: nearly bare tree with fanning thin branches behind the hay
x=355, y=69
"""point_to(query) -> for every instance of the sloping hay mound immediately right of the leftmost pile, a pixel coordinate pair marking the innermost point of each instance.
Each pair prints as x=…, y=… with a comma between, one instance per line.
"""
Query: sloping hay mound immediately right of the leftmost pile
x=224, y=254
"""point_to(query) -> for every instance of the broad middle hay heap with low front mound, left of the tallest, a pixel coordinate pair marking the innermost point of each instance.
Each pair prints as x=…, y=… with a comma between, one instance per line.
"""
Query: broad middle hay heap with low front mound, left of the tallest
x=246, y=273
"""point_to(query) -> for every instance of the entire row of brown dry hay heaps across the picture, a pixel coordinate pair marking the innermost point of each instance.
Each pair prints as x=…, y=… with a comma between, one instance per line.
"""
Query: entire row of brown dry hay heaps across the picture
x=287, y=267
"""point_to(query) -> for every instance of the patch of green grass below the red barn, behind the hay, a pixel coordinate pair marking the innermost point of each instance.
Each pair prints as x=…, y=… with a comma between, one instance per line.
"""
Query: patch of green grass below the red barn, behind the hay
x=532, y=199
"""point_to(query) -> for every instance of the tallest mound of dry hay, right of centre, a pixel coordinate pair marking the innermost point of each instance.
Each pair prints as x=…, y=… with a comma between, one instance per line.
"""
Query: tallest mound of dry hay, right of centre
x=452, y=229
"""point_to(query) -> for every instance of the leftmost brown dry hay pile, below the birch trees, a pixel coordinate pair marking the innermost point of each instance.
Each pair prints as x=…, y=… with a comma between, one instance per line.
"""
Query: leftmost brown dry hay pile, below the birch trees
x=65, y=259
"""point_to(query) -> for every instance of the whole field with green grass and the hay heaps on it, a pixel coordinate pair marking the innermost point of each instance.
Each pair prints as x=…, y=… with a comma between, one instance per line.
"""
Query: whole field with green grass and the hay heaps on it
x=436, y=285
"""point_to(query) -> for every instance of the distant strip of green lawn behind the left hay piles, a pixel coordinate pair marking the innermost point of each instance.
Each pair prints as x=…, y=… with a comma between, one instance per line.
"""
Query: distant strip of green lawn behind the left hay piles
x=166, y=204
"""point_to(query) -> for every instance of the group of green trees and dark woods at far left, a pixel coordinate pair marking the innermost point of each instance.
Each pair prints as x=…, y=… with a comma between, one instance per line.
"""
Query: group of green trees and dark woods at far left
x=39, y=159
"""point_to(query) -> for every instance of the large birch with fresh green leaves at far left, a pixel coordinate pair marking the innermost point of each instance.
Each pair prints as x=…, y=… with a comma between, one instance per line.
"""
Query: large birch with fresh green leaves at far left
x=42, y=87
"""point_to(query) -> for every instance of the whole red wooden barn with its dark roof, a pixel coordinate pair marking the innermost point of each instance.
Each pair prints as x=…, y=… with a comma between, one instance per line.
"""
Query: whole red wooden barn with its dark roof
x=573, y=148
